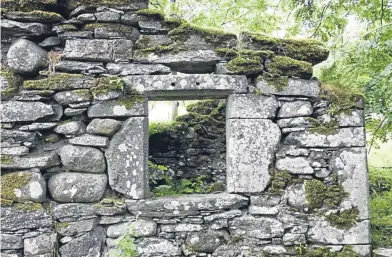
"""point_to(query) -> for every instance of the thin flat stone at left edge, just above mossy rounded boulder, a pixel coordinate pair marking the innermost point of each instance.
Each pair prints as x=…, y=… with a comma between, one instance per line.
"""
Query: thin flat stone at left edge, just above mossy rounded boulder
x=41, y=160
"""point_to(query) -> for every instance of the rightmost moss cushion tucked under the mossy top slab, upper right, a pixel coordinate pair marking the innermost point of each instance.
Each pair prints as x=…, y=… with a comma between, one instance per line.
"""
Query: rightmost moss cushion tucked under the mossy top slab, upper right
x=287, y=66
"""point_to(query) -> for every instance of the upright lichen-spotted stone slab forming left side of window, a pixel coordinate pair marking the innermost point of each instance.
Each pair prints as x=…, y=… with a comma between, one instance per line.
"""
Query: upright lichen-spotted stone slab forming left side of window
x=127, y=159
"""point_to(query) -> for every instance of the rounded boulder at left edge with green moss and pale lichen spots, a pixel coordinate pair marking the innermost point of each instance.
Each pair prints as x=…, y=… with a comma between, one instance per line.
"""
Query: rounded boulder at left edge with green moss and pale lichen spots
x=31, y=187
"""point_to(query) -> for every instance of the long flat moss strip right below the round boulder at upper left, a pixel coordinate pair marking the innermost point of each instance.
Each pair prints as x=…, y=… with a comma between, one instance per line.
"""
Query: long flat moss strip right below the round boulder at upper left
x=60, y=81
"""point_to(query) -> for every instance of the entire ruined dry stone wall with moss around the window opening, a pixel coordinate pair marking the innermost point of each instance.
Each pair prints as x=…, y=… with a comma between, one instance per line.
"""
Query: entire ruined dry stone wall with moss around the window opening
x=76, y=79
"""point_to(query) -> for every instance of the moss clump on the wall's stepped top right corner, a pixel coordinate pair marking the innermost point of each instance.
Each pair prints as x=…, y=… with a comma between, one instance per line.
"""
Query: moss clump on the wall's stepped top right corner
x=340, y=98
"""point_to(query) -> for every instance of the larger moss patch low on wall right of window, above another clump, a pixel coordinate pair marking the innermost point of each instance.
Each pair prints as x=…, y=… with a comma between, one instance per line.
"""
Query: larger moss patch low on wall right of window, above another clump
x=318, y=194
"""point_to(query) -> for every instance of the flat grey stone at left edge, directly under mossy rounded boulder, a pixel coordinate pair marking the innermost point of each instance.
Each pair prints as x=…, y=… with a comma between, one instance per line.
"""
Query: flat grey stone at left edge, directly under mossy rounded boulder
x=24, y=216
